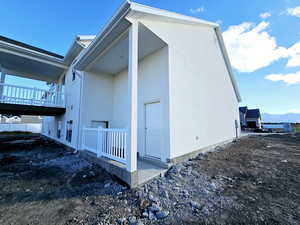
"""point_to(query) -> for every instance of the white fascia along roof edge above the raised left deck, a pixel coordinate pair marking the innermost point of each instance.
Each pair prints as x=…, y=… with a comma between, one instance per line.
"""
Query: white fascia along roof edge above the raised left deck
x=29, y=54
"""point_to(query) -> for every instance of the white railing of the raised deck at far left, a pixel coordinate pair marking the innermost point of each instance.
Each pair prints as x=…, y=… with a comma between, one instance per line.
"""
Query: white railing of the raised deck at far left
x=14, y=94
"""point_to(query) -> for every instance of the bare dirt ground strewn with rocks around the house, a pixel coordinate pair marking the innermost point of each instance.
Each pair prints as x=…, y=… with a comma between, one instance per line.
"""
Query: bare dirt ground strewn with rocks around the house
x=255, y=180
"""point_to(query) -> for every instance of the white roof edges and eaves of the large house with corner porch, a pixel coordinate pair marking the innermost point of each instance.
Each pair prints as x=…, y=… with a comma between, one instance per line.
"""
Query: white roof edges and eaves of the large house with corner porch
x=118, y=24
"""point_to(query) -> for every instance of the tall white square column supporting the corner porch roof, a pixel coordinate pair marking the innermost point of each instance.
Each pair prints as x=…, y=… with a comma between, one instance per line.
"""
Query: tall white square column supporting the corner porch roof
x=131, y=151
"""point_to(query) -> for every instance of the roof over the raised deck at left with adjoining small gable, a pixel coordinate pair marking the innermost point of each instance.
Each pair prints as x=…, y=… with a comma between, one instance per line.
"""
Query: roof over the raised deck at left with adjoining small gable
x=21, y=59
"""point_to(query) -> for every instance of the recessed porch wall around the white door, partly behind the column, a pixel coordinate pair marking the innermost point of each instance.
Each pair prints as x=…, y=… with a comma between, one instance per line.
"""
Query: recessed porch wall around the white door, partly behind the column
x=152, y=86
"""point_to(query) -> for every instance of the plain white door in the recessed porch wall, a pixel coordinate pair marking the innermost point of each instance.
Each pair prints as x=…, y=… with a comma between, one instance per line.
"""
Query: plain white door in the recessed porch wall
x=153, y=130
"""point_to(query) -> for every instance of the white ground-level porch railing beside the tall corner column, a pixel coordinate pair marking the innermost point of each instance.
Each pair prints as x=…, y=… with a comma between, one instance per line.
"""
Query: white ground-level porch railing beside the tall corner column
x=110, y=143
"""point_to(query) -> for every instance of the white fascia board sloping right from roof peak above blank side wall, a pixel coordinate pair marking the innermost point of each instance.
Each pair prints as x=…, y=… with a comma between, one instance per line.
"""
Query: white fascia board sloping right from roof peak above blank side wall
x=170, y=15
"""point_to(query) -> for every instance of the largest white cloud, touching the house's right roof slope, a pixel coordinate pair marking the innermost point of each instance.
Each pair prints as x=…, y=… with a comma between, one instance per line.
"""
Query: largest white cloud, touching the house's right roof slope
x=251, y=47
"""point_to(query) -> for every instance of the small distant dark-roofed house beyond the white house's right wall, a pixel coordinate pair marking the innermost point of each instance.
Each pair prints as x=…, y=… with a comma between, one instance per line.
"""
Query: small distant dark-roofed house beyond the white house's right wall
x=250, y=118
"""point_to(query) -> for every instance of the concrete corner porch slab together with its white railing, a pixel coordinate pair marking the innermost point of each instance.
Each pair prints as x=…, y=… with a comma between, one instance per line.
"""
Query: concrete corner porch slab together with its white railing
x=110, y=148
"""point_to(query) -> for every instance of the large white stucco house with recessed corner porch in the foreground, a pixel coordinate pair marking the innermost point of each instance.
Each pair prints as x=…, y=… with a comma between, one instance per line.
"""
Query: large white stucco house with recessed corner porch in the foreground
x=153, y=81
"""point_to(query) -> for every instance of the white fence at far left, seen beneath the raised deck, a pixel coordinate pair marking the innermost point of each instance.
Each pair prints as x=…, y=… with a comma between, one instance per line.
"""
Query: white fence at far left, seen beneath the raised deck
x=23, y=127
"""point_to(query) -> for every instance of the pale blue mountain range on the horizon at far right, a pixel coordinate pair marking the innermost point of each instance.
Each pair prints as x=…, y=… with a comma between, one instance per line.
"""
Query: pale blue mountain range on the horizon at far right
x=277, y=118
